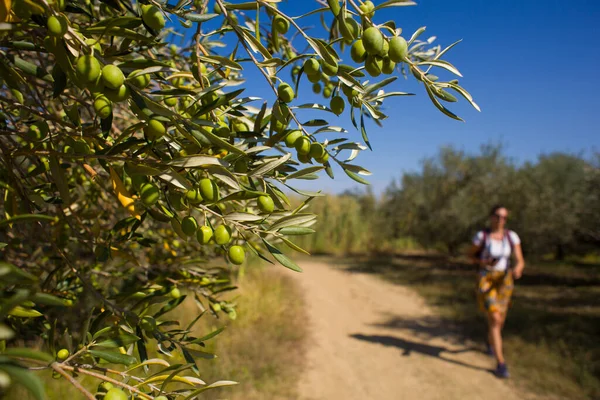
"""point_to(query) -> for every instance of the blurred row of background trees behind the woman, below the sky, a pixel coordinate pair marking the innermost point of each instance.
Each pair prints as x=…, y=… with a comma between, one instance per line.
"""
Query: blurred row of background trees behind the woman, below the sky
x=554, y=204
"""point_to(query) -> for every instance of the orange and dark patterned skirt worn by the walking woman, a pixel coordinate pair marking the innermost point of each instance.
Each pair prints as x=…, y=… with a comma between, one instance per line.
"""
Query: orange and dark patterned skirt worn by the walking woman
x=494, y=291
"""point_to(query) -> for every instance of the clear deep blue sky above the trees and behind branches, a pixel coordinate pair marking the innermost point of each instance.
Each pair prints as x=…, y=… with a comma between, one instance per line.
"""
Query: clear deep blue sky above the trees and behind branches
x=530, y=64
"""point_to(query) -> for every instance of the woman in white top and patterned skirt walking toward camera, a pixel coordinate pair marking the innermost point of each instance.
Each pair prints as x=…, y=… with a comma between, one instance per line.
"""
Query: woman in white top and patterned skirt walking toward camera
x=492, y=251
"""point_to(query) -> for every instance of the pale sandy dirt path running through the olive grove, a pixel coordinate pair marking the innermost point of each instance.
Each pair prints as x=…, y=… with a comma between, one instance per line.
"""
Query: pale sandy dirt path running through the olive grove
x=374, y=340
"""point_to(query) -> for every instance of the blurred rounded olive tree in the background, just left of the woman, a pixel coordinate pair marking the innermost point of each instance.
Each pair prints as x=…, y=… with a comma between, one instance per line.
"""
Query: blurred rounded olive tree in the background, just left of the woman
x=444, y=202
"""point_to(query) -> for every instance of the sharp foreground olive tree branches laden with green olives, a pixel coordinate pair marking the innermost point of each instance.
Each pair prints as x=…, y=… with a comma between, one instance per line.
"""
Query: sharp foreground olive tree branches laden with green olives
x=127, y=163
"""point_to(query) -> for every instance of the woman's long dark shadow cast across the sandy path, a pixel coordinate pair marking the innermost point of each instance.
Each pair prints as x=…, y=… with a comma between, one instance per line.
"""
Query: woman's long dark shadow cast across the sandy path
x=408, y=347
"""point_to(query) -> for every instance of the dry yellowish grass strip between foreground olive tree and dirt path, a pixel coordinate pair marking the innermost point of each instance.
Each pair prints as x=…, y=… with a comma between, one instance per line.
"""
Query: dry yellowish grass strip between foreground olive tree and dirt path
x=263, y=348
